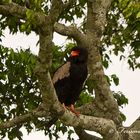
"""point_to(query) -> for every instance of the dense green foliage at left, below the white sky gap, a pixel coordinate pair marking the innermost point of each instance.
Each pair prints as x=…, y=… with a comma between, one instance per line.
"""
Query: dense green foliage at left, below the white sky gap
x=18, y=87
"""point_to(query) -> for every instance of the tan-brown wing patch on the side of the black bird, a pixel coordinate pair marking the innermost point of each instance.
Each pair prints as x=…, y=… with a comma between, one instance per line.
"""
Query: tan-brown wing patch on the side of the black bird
x=61, y=73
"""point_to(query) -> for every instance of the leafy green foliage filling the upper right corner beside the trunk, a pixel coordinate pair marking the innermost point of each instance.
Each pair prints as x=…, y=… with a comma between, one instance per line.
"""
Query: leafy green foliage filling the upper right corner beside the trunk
x=122, y=33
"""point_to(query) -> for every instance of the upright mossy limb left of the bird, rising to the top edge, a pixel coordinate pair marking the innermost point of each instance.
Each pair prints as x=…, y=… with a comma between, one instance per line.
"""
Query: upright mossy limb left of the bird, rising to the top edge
x=49, y=97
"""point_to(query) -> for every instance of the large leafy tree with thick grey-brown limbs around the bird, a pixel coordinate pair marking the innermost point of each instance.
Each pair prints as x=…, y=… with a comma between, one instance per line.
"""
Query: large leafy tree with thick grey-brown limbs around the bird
x=27, y=94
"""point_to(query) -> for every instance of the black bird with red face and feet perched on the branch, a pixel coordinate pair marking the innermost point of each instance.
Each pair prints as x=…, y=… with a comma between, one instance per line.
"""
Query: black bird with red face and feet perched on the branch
x=69, y=78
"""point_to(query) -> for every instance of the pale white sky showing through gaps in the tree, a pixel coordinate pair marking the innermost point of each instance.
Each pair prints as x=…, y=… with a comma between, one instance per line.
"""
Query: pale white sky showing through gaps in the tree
x=129, y=80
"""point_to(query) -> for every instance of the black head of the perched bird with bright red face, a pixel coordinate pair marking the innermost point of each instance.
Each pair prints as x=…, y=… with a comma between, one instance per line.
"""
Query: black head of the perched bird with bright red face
x=79, y=55
